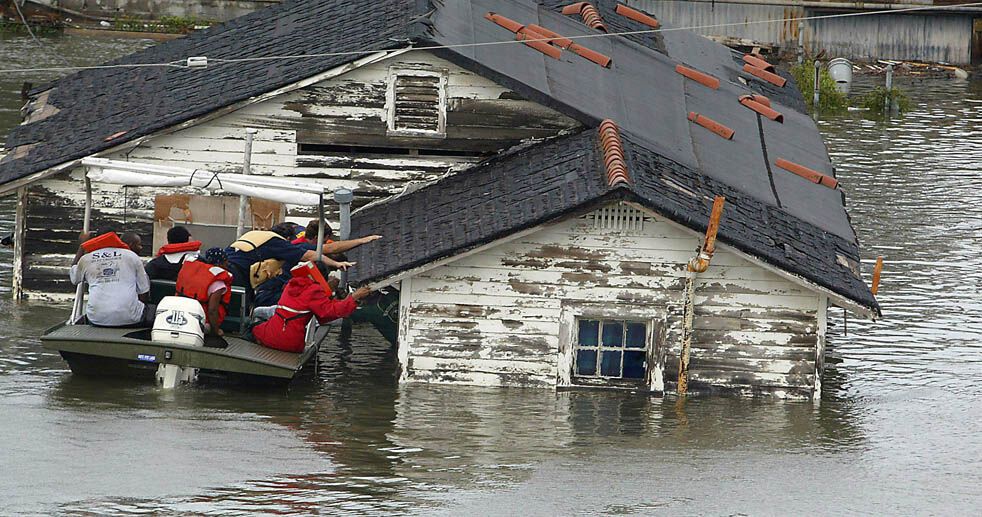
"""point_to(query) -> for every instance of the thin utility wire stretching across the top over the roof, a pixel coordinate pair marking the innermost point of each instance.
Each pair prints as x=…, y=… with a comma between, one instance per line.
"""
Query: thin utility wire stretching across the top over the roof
x=182, y=63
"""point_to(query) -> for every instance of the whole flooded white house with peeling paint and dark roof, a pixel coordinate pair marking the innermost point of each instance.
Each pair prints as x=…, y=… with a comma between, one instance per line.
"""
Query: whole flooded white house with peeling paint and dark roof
x=545, y=187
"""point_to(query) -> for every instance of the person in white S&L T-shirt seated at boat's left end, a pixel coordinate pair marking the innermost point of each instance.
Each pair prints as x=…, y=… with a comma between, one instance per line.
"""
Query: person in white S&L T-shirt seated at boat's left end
x=118, y=284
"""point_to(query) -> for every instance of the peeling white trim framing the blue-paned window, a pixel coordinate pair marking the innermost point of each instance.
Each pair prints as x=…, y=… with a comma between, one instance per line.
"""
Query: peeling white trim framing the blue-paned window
x=654, y=318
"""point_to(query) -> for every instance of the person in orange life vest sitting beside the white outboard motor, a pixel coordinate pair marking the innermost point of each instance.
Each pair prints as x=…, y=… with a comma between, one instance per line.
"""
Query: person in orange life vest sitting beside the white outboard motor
x=207, y=280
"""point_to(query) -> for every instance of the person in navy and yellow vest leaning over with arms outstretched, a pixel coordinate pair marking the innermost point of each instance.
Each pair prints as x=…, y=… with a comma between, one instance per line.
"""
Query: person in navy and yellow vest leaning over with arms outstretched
x=259, y=255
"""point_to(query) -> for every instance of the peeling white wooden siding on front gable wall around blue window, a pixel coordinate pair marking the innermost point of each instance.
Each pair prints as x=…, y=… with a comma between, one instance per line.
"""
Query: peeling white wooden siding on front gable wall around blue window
x=495, y=317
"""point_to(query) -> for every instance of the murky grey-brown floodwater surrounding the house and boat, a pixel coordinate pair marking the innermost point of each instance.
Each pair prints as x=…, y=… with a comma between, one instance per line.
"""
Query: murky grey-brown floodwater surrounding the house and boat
x=898, y=429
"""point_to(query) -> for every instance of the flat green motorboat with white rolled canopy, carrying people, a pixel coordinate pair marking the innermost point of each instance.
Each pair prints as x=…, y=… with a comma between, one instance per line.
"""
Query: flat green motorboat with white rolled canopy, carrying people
x=176, y=351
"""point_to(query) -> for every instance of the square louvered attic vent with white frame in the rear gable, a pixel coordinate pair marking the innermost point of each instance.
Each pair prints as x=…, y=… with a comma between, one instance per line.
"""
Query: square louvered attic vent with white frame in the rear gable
x=416, y=103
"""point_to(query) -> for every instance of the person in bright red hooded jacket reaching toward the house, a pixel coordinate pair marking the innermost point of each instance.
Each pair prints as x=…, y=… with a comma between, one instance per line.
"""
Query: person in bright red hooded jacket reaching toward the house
x=306, y=295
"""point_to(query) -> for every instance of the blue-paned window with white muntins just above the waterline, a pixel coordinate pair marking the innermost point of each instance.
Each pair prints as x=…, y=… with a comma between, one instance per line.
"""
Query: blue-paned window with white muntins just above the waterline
x=610, y=349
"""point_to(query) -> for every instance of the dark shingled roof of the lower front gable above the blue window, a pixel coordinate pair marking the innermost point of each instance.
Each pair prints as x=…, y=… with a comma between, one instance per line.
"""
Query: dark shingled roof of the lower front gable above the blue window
x=566, y=176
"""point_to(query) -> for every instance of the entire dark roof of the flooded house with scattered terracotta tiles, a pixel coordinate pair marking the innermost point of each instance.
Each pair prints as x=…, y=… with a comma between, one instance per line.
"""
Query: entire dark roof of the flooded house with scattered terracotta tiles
x=675, y=95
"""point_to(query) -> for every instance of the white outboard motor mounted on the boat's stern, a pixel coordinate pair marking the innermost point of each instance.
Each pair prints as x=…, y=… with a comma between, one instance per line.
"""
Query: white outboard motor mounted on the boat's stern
x=179, y=321
